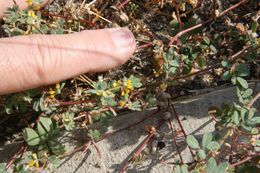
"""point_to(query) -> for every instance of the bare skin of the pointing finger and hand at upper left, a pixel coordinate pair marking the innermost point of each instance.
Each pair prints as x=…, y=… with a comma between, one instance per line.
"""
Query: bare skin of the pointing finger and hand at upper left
x=28, y=62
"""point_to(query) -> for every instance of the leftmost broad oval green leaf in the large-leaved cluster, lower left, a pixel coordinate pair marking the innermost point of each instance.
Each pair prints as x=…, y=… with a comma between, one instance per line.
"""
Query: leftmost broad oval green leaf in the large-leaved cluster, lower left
x=31, y=137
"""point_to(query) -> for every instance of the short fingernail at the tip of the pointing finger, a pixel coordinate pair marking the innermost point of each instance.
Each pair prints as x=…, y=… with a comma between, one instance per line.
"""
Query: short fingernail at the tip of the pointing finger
x=122, y=37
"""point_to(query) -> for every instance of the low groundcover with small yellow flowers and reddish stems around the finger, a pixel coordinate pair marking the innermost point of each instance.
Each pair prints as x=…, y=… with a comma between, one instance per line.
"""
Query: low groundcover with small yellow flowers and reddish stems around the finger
x=183, y=47
